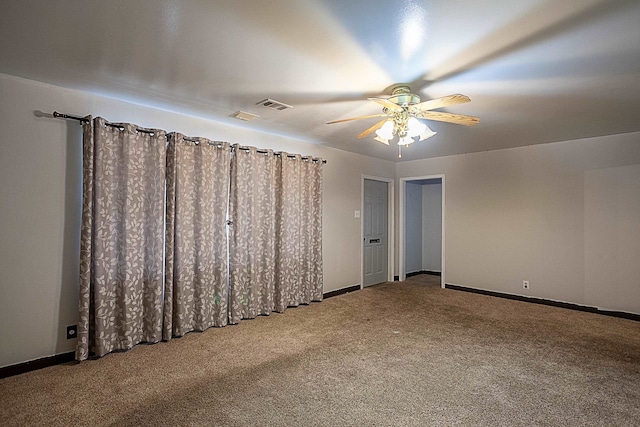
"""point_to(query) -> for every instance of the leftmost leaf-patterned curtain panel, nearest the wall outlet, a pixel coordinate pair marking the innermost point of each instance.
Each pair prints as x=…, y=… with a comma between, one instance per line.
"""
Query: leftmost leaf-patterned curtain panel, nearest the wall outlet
x=121, y=259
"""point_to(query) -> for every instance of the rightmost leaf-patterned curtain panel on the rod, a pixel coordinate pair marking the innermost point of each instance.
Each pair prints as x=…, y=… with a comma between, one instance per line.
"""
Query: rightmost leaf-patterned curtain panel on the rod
x=299, y=234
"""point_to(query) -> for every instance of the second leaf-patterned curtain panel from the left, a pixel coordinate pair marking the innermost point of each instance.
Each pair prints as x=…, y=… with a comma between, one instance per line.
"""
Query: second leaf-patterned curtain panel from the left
x=196, y=236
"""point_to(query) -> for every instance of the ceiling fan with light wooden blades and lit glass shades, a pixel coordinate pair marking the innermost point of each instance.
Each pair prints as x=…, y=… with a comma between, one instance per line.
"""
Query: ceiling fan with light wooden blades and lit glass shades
x=401, y=112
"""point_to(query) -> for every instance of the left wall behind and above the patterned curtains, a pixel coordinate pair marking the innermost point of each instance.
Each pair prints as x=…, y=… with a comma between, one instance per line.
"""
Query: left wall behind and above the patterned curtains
x=40, y=191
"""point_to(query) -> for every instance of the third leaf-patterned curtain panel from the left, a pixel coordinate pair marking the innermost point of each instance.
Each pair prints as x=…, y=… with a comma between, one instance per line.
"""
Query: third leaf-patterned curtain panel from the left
x=253, y=210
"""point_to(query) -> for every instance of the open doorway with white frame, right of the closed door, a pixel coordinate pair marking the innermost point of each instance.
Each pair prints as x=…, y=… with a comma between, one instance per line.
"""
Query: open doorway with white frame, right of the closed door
x=421, y=239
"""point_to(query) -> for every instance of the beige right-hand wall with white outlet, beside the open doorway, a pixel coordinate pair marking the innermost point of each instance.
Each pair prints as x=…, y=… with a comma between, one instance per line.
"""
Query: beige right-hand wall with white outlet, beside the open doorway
x=565, y=216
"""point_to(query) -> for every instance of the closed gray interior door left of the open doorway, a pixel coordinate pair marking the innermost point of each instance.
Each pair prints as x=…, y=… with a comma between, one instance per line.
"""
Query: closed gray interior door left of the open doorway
x=375, y=244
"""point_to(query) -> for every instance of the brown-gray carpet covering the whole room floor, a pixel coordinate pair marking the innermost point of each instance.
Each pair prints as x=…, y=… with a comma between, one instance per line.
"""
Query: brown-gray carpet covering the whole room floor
x=396, y=354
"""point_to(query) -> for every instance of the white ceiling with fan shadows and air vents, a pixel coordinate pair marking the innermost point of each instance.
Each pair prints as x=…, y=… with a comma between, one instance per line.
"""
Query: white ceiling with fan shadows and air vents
x=536, y=71
